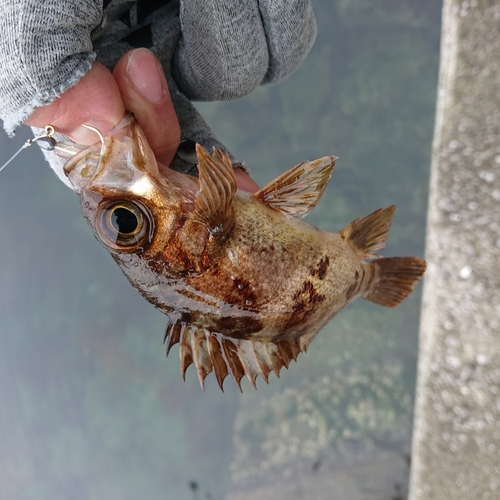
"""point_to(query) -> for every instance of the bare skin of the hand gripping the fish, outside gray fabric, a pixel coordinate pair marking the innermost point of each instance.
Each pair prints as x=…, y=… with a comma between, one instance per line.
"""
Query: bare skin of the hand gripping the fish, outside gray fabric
x=100, y=99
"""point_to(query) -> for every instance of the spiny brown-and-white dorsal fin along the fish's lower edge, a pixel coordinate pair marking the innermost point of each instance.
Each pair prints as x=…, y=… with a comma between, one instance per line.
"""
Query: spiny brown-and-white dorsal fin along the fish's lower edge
x=223, y=355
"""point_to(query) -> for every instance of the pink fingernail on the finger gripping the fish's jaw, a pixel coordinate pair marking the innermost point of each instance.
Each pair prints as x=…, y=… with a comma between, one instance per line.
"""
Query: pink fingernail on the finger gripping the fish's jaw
x=144, y=74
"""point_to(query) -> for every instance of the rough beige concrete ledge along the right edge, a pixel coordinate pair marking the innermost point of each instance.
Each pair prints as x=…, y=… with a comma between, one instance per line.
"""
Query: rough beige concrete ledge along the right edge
x=456, y=441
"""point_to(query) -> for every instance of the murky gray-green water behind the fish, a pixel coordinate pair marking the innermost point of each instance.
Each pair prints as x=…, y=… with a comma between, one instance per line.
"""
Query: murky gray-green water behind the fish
x=89, y=406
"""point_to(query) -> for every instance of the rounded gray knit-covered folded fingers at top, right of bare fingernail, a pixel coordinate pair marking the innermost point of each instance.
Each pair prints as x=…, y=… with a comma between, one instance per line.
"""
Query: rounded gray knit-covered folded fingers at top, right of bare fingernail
x=228, y=48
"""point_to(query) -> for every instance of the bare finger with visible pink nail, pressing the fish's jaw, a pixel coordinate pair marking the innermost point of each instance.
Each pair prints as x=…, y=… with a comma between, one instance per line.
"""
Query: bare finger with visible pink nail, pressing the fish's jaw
x=144, y=91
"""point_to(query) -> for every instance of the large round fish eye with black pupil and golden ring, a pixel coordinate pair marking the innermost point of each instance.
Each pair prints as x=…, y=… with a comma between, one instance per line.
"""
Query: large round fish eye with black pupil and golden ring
x=123, y=225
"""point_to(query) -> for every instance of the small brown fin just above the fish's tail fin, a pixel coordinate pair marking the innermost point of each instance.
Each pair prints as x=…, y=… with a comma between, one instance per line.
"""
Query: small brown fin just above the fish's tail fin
x=368, y=234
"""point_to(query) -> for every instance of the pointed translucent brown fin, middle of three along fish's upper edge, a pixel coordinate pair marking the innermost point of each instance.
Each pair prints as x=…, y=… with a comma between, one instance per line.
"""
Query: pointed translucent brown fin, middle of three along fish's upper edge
x=297, y=191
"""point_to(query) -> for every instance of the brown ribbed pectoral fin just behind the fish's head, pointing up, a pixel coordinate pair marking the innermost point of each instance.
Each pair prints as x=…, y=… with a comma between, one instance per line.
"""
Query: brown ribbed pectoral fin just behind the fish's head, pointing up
x=214, y=200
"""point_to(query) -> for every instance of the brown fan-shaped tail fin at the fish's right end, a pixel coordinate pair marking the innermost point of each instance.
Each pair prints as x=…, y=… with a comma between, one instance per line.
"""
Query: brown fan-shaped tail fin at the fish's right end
x=394, y=279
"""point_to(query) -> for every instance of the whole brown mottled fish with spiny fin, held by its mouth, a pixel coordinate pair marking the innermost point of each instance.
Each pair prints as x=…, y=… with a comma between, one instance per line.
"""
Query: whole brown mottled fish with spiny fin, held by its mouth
x=245, y=282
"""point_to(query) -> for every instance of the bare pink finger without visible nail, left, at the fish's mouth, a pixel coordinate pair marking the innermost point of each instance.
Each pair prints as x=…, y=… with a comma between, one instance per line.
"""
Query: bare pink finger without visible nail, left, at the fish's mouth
x=94, y=100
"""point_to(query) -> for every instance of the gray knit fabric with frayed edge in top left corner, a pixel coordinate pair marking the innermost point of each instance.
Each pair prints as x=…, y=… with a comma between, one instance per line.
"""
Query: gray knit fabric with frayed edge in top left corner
x=45, y=48
